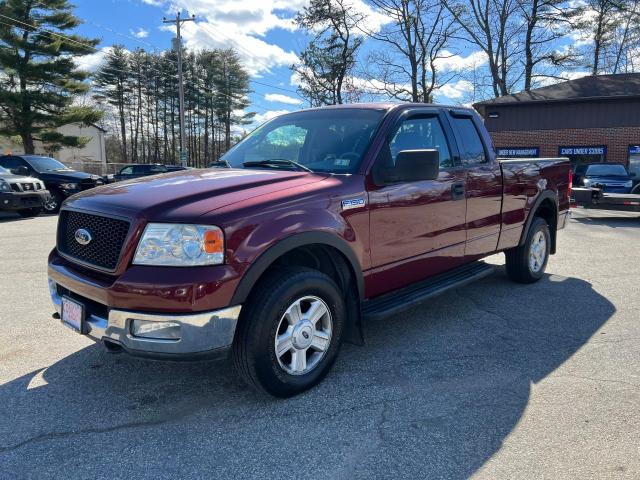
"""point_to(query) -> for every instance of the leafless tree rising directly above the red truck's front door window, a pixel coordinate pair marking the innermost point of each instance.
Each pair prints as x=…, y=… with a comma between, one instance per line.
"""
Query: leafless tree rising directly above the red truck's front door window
x=414, y=42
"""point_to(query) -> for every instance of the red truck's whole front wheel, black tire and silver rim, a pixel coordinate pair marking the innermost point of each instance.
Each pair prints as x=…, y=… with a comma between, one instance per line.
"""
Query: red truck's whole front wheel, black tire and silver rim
x=268, y=315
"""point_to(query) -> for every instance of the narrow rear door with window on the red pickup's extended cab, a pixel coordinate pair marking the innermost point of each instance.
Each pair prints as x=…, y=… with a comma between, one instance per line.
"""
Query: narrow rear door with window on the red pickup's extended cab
x=483, y=185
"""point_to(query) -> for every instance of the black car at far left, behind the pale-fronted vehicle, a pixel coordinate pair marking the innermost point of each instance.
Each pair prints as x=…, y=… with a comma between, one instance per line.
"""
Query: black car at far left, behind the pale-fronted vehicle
x=60, y=180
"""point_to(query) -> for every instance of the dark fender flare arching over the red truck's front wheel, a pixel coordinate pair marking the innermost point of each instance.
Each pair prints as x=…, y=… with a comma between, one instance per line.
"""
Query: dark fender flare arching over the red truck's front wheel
x=266, y=259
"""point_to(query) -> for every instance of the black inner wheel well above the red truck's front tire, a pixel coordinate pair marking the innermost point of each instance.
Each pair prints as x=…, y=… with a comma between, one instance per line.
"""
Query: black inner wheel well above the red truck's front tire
x=332, y=262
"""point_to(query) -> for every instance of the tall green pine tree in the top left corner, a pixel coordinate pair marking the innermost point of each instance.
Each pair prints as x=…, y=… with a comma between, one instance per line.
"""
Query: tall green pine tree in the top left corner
x=38, y=75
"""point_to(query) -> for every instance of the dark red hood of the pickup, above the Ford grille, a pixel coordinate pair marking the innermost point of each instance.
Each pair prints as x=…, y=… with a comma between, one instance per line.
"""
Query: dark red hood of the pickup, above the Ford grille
x=187, y=194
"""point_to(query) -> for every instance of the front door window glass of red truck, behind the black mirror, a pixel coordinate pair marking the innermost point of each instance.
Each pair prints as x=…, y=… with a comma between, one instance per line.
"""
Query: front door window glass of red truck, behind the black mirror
x=419, y=134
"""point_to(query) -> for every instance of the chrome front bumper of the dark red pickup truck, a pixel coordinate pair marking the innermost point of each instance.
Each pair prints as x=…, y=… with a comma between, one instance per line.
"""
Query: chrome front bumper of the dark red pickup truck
x=202, y=334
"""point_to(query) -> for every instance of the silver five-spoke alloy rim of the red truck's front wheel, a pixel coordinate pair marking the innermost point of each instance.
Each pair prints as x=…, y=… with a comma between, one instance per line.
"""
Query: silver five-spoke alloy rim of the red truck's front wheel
x=303, y=335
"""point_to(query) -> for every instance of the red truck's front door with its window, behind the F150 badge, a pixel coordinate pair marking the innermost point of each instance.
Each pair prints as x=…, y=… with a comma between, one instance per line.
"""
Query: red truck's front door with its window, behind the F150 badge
x=417, y=228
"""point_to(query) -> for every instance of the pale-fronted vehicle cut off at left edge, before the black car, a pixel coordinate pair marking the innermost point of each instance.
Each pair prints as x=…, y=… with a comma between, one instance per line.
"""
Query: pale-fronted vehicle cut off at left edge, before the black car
x=23, y=195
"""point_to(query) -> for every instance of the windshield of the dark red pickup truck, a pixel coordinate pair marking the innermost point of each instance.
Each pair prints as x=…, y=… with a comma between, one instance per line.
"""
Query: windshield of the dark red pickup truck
x=331, y=140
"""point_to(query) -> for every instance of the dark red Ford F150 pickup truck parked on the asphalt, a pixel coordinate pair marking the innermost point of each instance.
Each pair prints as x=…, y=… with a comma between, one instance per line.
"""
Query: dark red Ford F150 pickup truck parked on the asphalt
x=314, y=221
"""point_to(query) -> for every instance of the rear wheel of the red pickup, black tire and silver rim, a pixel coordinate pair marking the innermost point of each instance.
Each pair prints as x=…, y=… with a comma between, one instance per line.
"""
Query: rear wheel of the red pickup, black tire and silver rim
x=527, y=263
